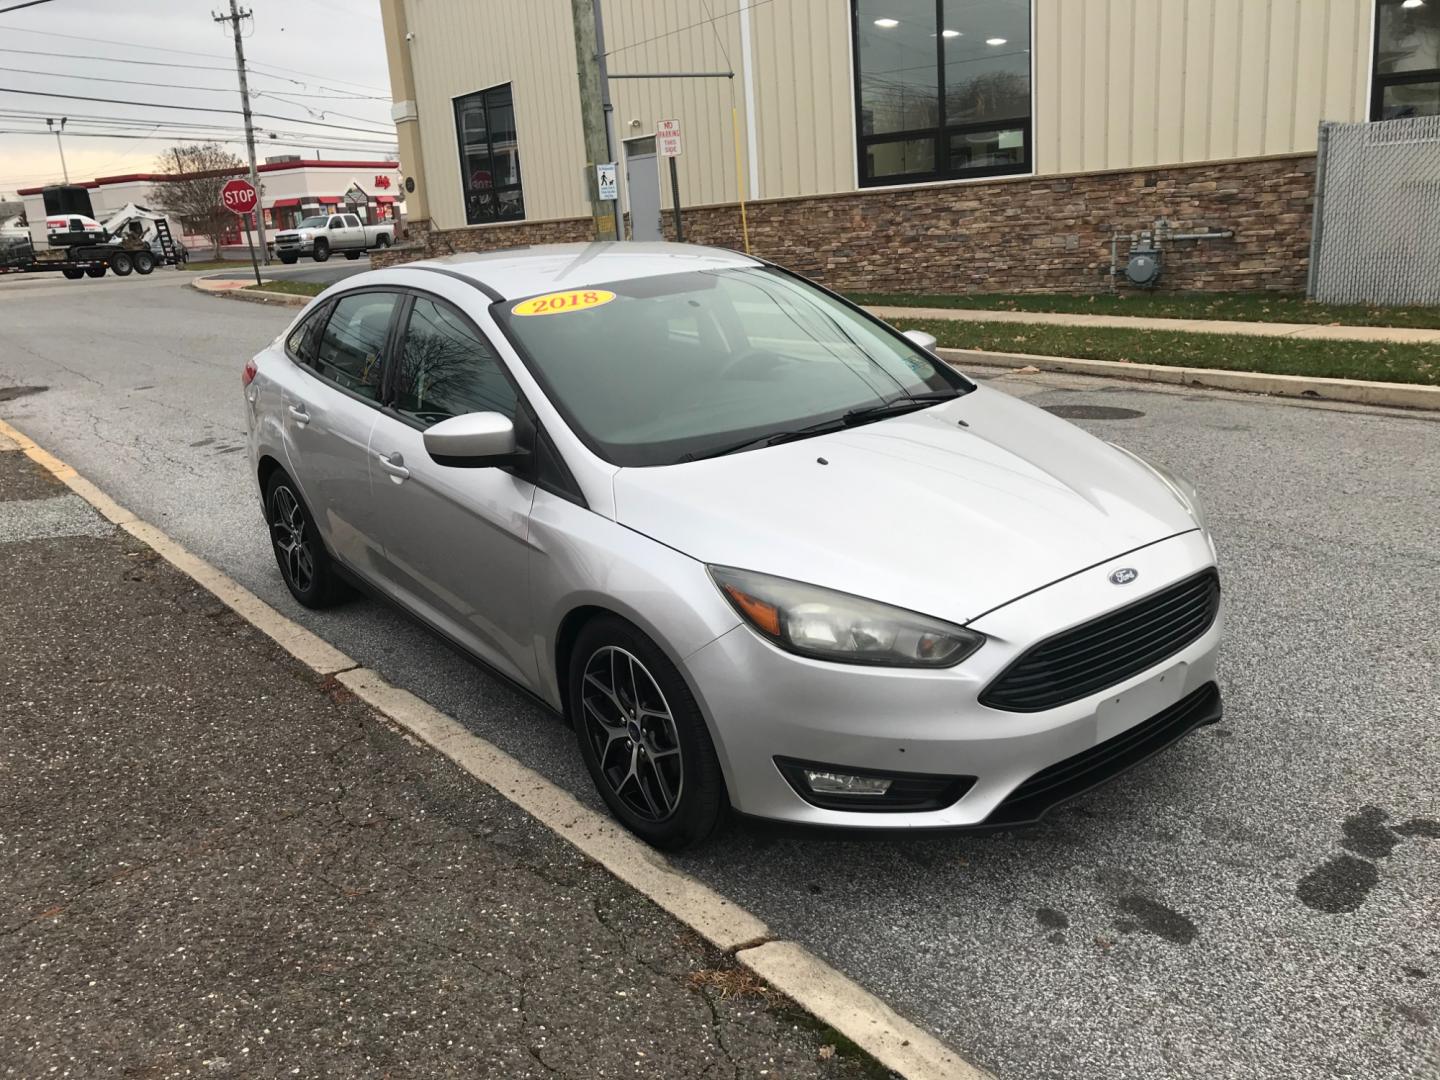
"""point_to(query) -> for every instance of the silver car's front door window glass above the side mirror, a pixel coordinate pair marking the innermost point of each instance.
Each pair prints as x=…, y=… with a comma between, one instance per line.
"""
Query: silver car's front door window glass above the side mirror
x=447, y=369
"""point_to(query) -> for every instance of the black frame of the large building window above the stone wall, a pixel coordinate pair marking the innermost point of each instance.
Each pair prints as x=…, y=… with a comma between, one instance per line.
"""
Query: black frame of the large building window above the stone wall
x=942, y=132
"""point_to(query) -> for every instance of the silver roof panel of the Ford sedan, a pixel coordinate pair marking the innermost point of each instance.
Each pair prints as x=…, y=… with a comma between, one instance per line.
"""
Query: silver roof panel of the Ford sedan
x=557, y=267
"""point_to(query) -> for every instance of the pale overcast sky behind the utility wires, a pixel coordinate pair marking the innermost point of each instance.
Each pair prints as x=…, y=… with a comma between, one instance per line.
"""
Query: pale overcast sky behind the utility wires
x=296, y=48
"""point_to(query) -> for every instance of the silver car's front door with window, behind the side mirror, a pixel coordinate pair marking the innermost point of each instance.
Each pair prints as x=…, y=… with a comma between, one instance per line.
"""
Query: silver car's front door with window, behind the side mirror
x=457, y=541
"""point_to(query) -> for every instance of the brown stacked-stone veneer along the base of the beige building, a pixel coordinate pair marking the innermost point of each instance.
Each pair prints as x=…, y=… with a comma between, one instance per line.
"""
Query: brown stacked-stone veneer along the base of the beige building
x=1012, y=235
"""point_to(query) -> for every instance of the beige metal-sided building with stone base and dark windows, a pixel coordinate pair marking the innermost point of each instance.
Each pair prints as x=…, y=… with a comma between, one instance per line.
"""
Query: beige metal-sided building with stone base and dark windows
x=1014, y=132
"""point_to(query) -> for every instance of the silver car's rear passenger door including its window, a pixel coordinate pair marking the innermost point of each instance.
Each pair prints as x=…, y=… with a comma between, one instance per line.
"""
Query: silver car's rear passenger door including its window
x=330, y=405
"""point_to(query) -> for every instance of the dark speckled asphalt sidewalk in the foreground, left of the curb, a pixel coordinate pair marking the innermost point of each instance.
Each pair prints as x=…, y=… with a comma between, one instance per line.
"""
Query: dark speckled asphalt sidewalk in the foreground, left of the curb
x=220, y=865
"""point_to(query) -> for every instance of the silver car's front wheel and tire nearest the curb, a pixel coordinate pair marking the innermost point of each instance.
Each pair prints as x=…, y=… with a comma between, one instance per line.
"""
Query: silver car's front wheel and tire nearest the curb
x=643, y=737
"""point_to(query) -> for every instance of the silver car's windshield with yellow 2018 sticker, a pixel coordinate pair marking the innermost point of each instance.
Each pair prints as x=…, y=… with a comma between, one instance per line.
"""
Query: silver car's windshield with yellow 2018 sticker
x=683, y=366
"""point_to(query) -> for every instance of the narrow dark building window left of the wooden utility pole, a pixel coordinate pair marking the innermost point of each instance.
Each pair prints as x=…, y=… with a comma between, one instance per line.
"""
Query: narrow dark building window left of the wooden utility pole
x=489, y=158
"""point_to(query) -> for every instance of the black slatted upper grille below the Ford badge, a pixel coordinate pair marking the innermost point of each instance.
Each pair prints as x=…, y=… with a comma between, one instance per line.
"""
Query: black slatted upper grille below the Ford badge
x=1108, y=650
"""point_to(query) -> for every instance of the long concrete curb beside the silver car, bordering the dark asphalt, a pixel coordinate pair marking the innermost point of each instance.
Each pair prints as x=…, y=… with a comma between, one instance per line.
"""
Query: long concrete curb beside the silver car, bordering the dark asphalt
x=827, y=994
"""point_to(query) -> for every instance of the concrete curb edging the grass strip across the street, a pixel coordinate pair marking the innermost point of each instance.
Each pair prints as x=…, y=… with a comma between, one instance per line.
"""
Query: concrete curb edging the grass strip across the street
x=1353, y=391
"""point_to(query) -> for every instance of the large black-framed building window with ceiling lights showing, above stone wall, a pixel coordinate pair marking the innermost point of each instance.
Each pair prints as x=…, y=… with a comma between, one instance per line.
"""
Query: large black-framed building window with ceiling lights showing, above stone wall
x=942, y=89
